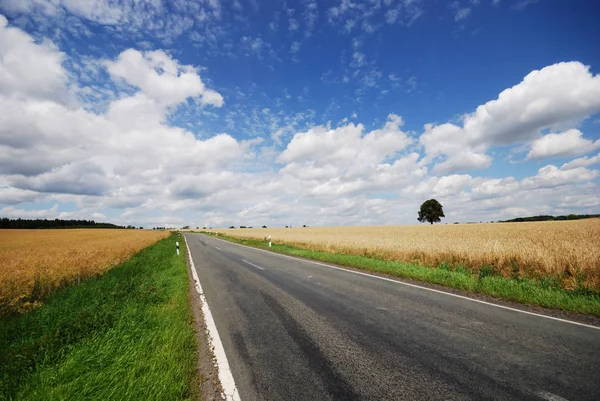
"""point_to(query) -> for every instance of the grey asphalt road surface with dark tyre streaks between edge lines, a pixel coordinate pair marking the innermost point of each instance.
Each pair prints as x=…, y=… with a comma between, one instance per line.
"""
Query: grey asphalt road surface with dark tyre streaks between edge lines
x=293, y=330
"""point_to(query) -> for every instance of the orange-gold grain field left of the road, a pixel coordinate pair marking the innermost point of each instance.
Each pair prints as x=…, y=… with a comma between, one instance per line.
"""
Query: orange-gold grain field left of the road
x=35, y=262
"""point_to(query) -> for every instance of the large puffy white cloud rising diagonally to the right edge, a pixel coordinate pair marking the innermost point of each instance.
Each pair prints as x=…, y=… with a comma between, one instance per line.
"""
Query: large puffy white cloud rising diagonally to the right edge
x=555, y=97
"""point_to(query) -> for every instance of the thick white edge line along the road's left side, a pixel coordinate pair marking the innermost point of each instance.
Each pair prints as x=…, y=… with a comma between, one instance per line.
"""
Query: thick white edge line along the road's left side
x=225, y=377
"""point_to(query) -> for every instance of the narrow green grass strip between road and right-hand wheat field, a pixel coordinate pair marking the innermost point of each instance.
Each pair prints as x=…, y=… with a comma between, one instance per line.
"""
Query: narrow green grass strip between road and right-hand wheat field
x=545, y=292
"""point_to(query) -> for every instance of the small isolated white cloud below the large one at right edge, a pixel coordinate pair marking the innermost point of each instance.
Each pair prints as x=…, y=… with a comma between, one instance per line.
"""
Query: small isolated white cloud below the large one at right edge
x=568, y=143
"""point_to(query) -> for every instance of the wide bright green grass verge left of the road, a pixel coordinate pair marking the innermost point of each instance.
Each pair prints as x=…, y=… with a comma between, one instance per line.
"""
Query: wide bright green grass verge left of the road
x=123, y=336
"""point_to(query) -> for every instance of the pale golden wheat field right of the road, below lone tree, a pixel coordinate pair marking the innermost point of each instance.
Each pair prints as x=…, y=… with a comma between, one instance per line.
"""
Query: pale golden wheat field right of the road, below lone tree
x=566, y=250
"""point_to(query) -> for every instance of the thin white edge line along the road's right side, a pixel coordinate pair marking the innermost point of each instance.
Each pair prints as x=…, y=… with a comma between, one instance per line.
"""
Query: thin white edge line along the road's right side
x=417, y=286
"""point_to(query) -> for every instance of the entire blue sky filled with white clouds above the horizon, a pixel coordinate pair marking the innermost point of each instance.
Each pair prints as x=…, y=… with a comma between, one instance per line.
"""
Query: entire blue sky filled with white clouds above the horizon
x=220, y=112
